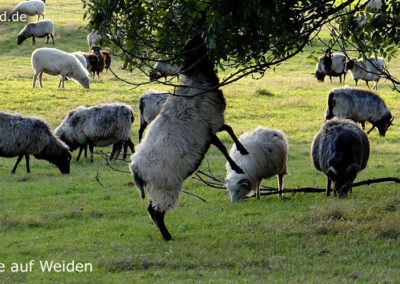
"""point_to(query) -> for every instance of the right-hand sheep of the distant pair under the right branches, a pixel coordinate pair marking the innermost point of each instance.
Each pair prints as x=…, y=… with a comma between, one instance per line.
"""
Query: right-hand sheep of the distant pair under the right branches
x=367, y=70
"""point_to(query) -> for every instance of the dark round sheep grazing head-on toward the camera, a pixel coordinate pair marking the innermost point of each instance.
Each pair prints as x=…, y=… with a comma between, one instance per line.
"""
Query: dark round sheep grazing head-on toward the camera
x=340, y=150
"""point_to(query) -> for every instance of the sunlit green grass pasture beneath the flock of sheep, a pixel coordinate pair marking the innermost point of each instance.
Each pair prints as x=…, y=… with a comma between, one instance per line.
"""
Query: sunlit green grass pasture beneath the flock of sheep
x=304, y=238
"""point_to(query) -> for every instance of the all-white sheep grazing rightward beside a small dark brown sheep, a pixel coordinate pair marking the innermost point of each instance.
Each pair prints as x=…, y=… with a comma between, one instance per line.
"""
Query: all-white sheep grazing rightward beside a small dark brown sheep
x=56, y=62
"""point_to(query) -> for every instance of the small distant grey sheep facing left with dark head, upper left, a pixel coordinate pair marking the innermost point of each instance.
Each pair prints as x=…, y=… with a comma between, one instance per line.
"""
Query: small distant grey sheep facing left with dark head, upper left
x=38, y=29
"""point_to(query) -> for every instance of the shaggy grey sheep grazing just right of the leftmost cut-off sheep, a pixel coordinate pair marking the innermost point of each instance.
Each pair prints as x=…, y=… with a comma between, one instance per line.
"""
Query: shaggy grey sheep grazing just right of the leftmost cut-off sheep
x=101, y=125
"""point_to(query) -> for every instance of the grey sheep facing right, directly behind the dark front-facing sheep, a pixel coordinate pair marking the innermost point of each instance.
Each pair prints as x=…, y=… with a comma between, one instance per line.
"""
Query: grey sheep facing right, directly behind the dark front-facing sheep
x=359, y=106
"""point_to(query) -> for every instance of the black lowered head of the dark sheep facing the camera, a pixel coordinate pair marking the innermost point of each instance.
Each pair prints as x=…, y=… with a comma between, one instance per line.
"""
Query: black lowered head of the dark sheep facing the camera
x=343, y=179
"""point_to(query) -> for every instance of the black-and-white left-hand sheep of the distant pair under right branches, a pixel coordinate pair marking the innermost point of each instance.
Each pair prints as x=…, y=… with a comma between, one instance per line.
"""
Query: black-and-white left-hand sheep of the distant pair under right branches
x=331, y=65
